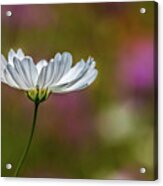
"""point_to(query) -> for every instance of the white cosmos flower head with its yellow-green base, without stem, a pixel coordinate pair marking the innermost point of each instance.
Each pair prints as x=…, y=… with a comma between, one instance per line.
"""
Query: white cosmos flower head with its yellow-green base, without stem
x=55, y=76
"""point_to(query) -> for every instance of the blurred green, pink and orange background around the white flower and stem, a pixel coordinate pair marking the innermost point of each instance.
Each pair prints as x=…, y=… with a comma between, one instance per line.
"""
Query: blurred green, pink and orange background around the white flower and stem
x=105, y=131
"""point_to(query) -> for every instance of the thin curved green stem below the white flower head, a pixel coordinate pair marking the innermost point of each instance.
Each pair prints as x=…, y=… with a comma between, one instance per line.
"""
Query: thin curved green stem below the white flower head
x=24, y=155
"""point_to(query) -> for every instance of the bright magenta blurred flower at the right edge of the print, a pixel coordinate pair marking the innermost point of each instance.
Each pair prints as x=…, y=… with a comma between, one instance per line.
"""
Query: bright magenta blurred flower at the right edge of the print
x=136, y=64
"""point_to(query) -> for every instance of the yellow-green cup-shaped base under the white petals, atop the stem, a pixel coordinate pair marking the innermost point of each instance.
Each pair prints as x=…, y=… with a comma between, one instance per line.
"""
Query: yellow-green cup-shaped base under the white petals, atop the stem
x=38, y=95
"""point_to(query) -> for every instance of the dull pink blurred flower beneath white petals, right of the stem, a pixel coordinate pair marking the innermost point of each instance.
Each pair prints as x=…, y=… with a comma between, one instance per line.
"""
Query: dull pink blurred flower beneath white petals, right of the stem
x=76, y=116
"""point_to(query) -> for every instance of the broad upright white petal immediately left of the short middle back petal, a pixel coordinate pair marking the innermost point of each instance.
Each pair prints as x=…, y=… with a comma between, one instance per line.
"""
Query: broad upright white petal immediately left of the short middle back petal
x=30, y=70
